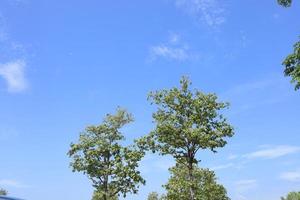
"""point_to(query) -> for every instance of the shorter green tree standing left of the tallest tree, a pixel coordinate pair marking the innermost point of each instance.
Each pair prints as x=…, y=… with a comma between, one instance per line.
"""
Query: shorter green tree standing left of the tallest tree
x=111, y=167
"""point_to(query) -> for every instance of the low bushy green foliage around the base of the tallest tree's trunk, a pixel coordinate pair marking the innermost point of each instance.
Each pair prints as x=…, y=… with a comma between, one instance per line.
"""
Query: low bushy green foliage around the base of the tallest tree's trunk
x=206, y=186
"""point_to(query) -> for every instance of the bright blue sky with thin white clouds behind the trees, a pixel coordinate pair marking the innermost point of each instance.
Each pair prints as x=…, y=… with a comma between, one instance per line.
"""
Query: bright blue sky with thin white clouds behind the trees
x=65, y=64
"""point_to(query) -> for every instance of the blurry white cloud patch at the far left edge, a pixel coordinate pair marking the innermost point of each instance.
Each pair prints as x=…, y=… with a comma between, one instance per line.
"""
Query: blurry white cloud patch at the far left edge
x=14, y=75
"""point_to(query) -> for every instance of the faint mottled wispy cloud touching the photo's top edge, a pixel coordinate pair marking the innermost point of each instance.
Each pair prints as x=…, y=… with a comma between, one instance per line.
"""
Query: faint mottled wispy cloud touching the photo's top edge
x=211, y=12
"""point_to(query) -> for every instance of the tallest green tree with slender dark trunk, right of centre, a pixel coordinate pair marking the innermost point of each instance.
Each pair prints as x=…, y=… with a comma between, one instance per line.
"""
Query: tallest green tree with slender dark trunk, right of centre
x=186, y=121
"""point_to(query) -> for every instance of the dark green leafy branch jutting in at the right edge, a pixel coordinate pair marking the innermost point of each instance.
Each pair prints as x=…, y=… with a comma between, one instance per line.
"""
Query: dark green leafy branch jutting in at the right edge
x=292, y=65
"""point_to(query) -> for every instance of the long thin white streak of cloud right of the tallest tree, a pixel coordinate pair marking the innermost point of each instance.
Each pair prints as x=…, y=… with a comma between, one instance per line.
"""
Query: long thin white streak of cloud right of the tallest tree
x=273, y=152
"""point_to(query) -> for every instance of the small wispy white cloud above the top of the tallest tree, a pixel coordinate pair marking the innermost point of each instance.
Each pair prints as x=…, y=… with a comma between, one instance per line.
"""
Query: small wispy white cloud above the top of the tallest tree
x=173, y=49
